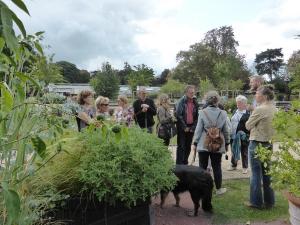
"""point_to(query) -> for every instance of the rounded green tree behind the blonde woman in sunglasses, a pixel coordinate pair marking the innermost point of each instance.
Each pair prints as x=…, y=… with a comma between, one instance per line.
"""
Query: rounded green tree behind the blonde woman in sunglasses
x=106, y=82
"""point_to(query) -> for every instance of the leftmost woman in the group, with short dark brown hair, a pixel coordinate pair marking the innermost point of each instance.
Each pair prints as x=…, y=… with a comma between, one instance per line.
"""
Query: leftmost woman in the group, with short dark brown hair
x=87, y=111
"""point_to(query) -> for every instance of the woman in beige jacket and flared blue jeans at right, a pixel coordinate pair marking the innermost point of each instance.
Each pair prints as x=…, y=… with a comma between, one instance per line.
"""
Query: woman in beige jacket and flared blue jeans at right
x=261, y=131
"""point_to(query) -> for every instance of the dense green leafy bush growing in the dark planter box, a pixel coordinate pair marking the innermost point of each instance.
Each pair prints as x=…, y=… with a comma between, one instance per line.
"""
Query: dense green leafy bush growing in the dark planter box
x=127, y=169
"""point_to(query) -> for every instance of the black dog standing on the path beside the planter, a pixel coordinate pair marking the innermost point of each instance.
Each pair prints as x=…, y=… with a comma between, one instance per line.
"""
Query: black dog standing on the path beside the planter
x=195, y=180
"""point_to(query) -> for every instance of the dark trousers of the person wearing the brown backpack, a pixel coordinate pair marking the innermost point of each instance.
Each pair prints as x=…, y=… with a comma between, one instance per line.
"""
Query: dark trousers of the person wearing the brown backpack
x=216, y=159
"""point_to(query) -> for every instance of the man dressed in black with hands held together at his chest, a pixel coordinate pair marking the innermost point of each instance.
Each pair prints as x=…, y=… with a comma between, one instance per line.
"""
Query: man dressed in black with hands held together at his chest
x=144, y=110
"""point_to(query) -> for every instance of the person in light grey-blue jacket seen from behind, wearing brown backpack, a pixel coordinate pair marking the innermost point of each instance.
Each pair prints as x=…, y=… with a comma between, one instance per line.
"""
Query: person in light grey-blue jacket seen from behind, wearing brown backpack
x=212, y=115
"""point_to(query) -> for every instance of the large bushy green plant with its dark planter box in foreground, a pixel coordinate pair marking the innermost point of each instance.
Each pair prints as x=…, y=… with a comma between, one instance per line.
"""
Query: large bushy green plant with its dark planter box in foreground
x=110, y=174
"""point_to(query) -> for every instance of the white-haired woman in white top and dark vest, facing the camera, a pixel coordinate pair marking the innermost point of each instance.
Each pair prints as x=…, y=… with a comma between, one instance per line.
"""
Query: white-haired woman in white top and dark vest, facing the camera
x=239, y=134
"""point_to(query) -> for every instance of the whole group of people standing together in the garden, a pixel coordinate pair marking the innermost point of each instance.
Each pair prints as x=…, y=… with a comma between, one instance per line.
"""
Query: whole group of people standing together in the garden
x=249, y=127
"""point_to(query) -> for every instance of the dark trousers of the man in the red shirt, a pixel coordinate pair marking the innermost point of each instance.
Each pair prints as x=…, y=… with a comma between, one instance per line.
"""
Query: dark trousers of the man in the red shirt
x=184, y=142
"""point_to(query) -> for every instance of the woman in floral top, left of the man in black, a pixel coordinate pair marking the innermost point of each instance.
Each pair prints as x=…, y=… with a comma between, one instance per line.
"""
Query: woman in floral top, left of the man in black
x=124, y=114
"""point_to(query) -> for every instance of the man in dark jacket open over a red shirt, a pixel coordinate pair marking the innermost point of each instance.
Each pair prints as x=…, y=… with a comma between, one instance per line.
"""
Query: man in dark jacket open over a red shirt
x=187, y=117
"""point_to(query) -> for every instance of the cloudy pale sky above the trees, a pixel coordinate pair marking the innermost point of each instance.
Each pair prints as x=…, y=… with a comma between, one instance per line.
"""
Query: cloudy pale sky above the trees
x=152, y=32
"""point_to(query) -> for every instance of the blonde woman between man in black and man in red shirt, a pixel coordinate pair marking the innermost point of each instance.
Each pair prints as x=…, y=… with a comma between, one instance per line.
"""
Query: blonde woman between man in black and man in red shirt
x=163, y=114
